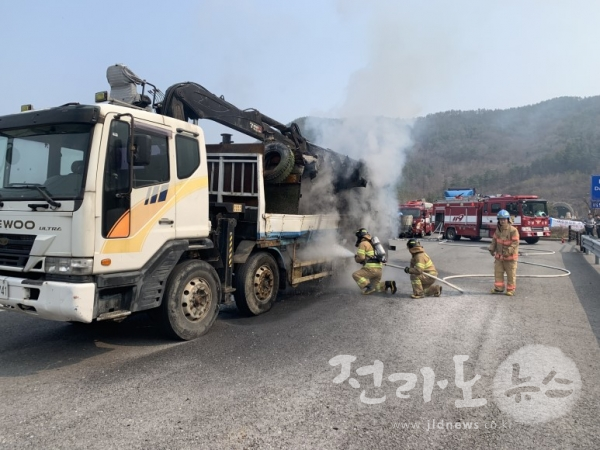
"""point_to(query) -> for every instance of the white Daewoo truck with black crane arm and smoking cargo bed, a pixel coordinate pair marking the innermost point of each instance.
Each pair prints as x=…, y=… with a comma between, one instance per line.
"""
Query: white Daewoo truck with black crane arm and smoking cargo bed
x=119, y=207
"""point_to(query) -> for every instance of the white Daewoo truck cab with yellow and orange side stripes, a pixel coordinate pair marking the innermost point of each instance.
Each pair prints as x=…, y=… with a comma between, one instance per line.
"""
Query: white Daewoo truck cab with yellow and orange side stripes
x=93, y=200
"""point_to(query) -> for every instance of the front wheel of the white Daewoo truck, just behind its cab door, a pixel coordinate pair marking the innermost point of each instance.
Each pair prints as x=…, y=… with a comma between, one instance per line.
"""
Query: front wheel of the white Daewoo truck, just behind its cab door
x=190, y=304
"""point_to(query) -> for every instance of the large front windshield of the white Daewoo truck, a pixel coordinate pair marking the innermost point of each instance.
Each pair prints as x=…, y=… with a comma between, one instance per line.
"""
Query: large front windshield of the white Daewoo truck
x=52, y=157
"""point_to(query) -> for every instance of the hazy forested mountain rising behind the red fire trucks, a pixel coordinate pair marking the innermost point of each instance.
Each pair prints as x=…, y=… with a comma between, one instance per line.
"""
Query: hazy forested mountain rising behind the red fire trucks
x=549, y=149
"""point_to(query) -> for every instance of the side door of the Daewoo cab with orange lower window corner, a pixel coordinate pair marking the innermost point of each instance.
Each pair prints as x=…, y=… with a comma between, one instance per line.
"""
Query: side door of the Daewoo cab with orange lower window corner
x=137, y=214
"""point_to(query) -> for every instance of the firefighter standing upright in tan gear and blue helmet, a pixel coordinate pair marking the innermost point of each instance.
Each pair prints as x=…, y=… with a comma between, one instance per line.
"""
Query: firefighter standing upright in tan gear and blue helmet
x=505, y=249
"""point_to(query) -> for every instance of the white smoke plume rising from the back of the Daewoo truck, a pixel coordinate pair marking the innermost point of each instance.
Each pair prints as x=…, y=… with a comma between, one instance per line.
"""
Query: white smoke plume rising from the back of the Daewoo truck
x=373, y=122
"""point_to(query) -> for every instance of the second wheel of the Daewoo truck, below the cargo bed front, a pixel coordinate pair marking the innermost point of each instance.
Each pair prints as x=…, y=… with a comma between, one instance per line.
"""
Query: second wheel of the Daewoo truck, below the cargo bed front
x=256, y=284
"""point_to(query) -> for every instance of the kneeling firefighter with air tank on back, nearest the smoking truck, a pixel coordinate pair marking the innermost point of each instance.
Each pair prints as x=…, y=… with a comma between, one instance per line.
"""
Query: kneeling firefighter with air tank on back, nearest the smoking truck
x=369, y=277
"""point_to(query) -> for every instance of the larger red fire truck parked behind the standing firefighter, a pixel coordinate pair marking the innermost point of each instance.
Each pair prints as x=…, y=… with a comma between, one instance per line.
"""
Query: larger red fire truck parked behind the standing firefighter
x=476, y=217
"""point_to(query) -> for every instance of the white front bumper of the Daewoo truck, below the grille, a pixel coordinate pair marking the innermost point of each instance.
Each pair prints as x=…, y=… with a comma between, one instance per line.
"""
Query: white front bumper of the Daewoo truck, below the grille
x=52, y=300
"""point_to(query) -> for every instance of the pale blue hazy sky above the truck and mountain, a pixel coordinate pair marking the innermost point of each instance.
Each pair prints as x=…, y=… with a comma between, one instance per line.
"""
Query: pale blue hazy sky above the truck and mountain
x=328, y=58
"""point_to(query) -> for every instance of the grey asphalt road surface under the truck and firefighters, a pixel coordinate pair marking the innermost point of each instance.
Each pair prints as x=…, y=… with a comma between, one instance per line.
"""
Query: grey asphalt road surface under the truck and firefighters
x=525, y=370
